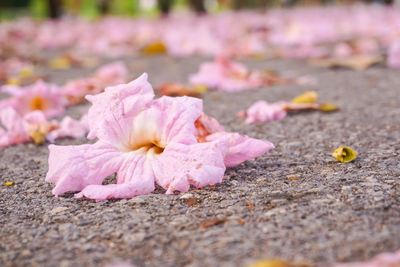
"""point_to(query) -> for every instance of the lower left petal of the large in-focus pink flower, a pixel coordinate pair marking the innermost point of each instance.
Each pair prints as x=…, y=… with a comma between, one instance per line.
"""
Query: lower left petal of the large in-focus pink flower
x=72, y=168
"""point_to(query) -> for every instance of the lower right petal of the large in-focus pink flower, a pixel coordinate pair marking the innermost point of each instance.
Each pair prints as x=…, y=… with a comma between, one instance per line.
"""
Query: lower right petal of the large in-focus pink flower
x=200, y=165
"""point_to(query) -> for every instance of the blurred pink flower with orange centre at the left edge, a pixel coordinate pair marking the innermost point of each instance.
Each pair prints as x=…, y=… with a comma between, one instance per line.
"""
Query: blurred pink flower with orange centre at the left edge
x=39, y=96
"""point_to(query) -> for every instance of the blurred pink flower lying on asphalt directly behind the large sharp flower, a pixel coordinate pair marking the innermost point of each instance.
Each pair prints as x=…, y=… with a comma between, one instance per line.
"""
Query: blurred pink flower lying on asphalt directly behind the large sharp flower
x=226, y=75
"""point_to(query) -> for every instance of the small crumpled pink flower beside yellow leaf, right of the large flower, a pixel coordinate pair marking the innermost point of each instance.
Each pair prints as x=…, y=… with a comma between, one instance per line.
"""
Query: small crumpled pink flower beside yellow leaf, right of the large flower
x=263, y=111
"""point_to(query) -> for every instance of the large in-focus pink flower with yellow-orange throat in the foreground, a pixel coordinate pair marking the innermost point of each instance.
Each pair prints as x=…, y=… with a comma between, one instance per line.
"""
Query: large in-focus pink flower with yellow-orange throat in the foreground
x=142, y=140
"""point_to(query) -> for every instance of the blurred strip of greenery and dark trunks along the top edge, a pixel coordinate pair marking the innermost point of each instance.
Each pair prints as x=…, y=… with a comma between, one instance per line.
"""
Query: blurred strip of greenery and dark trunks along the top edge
x=10, y=9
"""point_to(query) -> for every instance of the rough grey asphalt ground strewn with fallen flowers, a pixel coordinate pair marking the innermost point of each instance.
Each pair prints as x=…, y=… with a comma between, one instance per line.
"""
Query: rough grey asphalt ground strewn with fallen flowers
x=295, y=203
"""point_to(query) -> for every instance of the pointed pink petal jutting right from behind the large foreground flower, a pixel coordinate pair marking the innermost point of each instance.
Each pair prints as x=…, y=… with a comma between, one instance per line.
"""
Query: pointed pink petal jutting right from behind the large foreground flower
x=241, y=148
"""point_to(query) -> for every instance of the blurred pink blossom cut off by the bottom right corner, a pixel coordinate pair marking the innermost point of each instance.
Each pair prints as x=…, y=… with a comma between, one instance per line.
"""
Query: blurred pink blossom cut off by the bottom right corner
x=386, y=259
